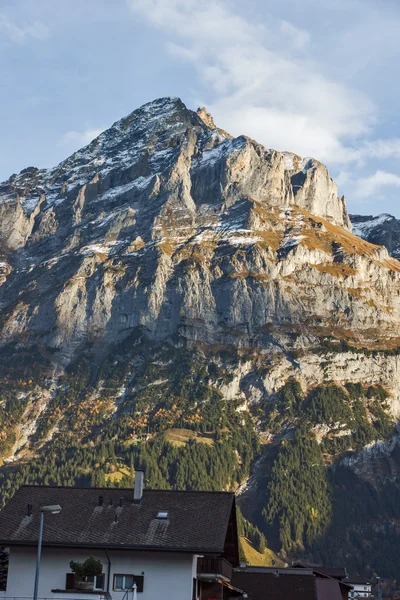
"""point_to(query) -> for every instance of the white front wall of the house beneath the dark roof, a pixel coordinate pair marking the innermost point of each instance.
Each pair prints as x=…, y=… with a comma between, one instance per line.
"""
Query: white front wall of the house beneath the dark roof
x=167, y=576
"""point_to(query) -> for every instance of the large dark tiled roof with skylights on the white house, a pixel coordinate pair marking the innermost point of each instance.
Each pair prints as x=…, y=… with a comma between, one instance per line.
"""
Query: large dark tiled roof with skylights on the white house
x=196, y=520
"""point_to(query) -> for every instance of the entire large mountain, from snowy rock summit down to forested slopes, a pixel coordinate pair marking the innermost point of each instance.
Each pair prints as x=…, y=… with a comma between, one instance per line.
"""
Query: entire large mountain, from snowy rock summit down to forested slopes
x=197, y=304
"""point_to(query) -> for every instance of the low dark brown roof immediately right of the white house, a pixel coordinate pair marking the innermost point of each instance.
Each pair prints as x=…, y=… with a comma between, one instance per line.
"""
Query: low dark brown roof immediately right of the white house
x=264, y=585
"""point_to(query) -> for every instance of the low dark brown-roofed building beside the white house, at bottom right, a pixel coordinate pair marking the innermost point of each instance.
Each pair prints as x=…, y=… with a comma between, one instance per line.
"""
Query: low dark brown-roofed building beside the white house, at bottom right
x=270, y=583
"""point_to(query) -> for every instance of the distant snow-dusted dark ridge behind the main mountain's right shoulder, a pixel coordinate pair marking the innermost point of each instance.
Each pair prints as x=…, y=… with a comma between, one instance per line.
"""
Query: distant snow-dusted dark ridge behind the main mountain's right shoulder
x=383, y=230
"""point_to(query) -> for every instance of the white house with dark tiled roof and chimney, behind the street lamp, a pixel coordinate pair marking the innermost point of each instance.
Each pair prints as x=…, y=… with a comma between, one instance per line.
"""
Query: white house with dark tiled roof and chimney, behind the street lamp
x=172, y=545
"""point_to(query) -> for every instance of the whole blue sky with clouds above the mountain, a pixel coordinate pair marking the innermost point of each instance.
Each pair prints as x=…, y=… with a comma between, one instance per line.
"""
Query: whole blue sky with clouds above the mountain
x=316, y=77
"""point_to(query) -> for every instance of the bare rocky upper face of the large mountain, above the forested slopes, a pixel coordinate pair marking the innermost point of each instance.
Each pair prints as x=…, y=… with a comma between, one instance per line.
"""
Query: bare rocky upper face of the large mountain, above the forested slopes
x=166, y=222
